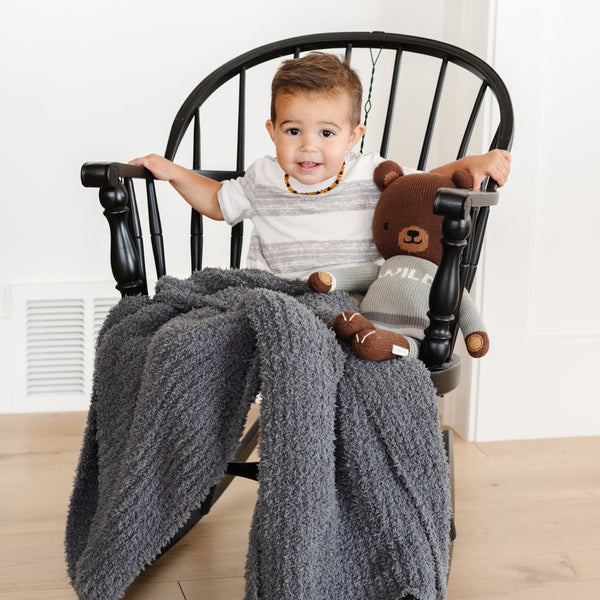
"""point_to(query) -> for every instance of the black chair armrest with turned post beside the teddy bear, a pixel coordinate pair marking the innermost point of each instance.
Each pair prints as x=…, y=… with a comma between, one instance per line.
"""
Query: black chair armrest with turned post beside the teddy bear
x=446, y=290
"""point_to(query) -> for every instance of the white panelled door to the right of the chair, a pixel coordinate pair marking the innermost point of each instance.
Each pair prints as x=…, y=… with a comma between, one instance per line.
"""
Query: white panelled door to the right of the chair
x=540, y=284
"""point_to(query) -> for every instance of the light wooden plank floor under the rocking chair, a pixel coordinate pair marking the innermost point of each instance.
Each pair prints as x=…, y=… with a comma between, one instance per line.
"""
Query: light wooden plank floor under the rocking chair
x=528, y=519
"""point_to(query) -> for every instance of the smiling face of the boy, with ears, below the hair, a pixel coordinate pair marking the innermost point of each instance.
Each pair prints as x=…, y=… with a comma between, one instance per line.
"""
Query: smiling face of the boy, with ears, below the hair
x=312, y=134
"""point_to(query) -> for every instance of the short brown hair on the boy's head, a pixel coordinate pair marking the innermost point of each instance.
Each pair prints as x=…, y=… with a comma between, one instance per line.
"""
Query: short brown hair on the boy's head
x=318, y=72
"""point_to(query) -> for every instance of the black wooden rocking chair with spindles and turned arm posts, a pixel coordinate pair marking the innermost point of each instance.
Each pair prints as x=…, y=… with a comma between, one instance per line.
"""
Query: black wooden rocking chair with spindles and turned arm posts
x=465, y=212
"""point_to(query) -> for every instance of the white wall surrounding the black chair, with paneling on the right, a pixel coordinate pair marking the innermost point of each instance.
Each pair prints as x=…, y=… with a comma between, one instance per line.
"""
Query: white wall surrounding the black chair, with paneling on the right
x=103, y=82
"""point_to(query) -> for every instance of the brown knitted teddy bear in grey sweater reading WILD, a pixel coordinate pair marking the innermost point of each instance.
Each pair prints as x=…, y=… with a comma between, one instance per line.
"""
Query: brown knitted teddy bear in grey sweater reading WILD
x=407, y=233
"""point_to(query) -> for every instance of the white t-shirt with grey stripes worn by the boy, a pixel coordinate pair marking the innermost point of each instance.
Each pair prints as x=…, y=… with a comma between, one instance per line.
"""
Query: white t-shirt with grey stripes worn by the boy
x=295, y=234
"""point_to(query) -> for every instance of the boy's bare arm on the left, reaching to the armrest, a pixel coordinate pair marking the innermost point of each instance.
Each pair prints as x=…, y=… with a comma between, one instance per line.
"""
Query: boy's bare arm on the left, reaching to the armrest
x=198, y=191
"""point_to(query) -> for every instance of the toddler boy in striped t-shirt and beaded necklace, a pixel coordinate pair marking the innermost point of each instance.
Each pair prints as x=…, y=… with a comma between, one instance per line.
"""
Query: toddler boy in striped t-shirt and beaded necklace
x=312, y=204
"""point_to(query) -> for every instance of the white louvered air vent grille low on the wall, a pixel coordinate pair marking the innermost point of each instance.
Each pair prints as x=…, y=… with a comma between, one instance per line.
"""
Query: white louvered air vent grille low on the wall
x=53, y=330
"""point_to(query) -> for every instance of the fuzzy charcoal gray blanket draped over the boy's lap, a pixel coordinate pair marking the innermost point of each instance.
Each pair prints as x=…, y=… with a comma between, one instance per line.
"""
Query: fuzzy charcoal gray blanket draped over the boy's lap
x=353, y=498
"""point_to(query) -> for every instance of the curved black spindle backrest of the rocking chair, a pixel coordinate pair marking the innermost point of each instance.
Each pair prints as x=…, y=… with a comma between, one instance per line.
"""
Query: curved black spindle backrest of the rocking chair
x=397, y=48
